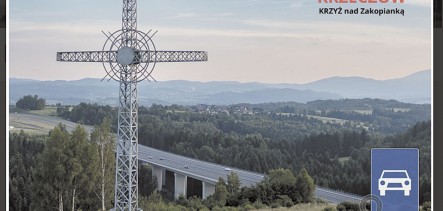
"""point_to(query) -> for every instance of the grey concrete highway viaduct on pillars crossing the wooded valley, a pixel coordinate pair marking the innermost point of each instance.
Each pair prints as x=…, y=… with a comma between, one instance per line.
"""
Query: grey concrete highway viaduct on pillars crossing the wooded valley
x=187, y=176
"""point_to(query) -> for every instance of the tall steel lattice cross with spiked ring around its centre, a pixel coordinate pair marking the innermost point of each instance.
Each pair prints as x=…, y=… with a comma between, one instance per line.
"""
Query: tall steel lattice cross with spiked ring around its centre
x=129, y=56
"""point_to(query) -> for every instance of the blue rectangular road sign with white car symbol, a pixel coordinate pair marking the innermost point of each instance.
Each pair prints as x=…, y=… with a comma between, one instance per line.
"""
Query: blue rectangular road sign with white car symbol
x=394, y=178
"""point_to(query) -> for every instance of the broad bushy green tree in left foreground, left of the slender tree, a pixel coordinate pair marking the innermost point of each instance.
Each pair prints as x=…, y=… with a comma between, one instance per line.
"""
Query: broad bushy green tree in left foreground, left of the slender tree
x=65, y=172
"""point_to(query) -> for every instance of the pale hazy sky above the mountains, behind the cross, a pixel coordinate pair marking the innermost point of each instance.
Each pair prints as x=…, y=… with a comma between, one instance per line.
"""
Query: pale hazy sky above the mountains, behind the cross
x=270, y=41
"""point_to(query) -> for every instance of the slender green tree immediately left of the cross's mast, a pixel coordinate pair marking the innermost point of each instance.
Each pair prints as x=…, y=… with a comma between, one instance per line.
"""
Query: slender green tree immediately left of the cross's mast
x=102, y=137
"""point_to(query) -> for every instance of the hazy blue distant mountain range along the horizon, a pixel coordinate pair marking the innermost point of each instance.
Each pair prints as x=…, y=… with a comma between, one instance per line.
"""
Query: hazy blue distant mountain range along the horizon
x=415, y=88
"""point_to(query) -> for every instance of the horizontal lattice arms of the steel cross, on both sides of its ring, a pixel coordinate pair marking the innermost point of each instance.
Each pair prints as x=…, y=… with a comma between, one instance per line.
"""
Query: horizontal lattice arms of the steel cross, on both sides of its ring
x=140, y=56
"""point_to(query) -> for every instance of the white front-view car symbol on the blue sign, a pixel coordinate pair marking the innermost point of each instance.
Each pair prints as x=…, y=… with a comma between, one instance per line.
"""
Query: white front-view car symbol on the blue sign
x=394, y=180
